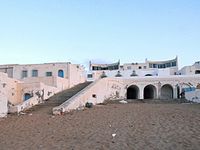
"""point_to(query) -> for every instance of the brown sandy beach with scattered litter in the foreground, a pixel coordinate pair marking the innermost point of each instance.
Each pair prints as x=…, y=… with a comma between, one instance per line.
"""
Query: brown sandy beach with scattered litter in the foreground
x=111, y=126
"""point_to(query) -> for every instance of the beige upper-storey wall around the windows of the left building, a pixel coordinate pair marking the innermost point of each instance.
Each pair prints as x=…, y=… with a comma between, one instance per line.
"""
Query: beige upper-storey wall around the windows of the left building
x=74, y=73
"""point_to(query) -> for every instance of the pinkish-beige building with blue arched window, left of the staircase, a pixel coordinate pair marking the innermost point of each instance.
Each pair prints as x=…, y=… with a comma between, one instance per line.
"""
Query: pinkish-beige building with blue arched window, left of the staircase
x=22, y=86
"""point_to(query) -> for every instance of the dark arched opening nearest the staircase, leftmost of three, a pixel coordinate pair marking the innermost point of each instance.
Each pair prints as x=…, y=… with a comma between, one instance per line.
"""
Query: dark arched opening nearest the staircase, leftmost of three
x=133, y=92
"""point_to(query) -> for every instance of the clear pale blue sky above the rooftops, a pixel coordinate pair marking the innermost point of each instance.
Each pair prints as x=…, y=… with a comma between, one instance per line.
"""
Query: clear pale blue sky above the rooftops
x=39, y=31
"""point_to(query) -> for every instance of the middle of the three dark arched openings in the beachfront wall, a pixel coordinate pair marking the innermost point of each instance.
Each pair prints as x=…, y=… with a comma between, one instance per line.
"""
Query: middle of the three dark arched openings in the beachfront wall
x=150, y=92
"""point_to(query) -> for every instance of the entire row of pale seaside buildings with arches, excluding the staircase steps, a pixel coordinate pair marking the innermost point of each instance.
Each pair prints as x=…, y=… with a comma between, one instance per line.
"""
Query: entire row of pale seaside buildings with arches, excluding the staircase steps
x=22, y=86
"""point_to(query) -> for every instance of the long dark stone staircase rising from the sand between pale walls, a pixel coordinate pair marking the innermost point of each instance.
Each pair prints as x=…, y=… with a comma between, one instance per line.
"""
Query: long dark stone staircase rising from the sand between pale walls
x=57, y=99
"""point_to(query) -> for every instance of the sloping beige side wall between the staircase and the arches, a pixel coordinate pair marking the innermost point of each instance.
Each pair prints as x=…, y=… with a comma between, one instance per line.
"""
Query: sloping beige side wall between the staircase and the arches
x=97, y=92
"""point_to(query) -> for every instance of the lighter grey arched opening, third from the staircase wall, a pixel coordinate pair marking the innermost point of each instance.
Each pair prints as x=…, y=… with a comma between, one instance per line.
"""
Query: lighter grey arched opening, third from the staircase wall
x=166, y=92
